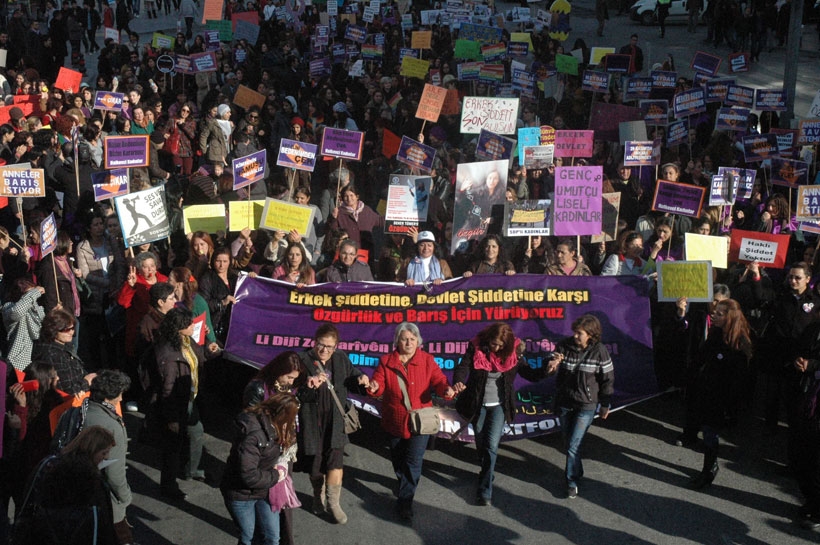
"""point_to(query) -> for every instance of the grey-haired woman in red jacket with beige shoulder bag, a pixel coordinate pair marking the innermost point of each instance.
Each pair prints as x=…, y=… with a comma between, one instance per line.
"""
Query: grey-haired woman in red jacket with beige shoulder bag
x=420, y=374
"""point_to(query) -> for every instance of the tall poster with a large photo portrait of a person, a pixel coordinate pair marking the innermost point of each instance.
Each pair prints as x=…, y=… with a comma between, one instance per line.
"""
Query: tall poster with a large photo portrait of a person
x=479, y=201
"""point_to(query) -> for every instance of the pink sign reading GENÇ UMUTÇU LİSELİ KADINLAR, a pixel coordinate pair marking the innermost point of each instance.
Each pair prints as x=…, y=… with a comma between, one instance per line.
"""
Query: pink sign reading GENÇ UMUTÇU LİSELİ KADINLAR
x=577, y=204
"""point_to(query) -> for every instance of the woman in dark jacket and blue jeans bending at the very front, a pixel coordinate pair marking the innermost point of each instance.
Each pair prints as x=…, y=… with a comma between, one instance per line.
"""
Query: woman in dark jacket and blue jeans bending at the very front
x=264, y=444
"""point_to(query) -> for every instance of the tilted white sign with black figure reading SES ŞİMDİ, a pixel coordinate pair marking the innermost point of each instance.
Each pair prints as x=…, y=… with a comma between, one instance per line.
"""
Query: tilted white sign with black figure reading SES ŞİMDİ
x=143, y=217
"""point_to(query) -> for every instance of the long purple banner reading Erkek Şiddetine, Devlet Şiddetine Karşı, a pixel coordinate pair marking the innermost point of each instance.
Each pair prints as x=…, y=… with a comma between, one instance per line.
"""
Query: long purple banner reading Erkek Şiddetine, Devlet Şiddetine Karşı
x=270, y=317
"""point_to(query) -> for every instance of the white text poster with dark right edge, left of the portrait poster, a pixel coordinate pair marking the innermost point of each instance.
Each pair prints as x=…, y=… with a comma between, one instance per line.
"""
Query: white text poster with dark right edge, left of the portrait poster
x=408, y=201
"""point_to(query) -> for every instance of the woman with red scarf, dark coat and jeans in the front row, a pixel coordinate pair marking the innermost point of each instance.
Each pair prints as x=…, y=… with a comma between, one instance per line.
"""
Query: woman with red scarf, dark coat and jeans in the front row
x=486, y=398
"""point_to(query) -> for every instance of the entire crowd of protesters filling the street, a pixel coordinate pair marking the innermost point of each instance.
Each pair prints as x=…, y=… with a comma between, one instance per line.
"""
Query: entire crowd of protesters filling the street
x=95, y=320
